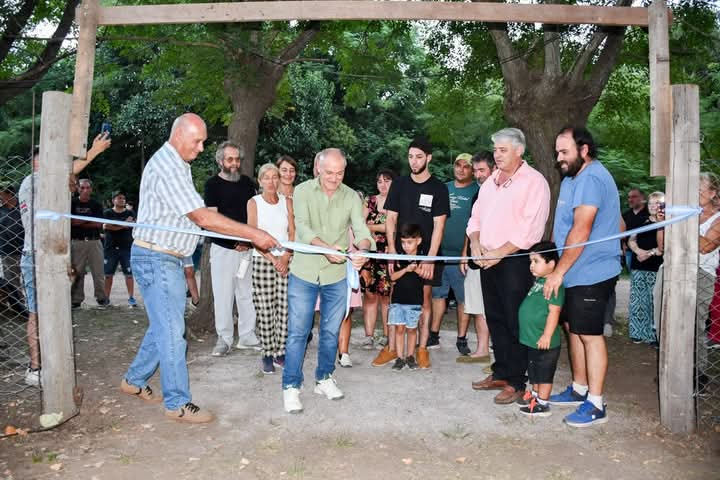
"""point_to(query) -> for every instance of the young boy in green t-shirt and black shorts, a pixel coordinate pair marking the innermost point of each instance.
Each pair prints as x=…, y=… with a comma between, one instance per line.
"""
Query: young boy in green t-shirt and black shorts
x=539, y=331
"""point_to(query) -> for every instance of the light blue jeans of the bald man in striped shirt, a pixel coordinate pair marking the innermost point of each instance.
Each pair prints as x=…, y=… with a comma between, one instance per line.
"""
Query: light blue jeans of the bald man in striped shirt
x=162, y=284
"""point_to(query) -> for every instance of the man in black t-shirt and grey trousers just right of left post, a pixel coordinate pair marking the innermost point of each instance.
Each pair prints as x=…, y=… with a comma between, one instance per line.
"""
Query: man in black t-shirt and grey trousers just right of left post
x=86, y=247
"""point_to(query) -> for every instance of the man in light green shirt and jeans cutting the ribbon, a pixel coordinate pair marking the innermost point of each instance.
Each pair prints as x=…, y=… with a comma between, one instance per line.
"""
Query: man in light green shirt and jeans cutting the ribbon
x=325, y=209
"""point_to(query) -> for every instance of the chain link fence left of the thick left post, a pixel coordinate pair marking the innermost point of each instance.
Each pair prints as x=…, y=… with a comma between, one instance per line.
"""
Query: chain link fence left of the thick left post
x=20, y=394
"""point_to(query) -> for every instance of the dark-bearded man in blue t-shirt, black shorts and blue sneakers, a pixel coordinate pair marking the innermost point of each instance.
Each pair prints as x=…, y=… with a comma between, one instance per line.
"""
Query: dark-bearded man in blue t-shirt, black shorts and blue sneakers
x=588, y=209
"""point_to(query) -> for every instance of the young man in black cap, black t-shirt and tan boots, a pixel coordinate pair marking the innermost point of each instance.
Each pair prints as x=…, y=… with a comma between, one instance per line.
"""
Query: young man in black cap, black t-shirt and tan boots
x=420, y=199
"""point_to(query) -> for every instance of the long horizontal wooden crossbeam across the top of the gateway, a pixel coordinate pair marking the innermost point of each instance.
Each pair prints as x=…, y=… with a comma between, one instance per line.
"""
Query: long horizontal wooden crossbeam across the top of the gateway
x=370, y=10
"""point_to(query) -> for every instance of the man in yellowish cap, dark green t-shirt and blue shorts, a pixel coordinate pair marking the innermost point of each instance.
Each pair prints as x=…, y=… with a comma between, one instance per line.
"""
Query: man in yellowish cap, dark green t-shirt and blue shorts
x=461, y=190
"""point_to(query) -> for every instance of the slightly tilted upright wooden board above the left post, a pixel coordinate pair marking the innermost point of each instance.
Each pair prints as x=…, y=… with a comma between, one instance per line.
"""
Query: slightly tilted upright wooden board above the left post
x=87, y=16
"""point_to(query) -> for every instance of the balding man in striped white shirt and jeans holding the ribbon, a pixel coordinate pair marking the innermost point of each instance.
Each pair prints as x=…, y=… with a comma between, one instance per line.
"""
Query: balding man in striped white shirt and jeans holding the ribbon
x=168, y=198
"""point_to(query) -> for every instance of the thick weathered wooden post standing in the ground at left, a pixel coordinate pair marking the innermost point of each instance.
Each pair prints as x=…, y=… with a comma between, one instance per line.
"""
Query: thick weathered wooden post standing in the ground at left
x=52, y=243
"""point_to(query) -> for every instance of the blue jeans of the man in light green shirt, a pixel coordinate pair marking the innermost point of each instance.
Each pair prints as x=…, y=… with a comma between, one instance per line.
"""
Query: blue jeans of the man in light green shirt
x=302, y=296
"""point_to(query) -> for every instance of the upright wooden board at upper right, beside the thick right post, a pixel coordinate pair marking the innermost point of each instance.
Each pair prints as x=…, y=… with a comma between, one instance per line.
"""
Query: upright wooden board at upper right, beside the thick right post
x=660, y=128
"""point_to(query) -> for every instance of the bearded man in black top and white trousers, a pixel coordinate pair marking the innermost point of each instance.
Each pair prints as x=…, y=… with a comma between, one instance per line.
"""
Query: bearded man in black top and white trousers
x=231, y=262
